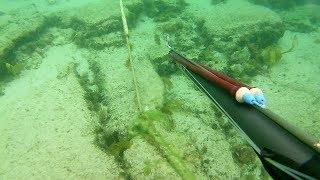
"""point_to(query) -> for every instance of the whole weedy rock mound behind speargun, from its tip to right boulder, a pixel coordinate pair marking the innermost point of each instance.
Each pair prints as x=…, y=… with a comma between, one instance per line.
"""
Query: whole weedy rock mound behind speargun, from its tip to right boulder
x=228, y=36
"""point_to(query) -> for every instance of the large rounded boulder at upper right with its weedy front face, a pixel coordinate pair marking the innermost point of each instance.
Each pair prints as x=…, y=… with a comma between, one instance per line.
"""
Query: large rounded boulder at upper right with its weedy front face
x=239, y=30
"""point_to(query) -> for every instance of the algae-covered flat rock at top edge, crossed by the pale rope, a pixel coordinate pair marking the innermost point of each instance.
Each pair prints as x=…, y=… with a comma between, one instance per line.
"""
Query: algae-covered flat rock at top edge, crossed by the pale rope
x=102, y=16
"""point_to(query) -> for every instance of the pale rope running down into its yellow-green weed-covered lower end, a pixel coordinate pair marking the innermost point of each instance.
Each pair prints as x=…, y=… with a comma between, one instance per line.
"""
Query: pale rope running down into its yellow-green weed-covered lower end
x=146, y=123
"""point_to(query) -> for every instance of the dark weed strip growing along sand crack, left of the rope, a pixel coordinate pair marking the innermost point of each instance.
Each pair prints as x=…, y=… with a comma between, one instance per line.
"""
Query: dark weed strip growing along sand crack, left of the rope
x=96, y=97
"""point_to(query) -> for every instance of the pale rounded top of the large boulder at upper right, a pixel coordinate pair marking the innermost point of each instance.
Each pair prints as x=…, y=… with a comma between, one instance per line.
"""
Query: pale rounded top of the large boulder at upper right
x=235, y=26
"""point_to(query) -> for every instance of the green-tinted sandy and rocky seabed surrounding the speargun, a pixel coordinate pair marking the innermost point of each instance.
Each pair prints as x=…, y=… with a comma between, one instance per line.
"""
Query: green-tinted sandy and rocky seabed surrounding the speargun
x=80, y=101
